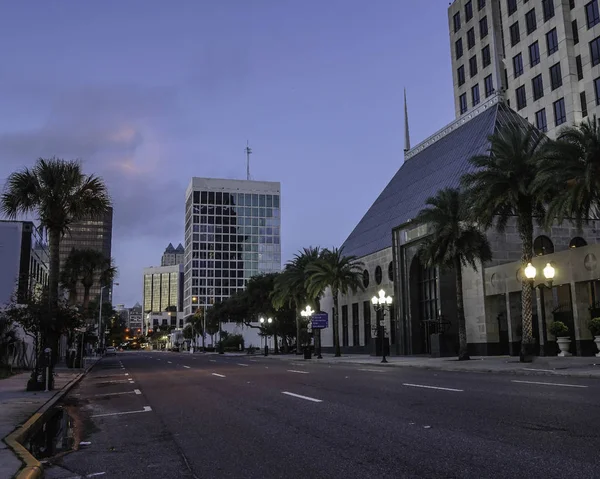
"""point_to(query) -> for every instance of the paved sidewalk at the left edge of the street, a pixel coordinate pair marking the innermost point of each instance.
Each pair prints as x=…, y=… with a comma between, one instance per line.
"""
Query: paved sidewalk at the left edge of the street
x=17, y=405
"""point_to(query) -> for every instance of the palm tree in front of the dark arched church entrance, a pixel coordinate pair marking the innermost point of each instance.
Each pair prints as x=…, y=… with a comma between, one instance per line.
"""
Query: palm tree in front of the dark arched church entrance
x=454, y=242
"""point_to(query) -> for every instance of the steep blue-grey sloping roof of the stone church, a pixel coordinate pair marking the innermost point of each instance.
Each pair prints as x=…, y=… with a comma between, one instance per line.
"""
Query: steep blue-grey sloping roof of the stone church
x=438, y=162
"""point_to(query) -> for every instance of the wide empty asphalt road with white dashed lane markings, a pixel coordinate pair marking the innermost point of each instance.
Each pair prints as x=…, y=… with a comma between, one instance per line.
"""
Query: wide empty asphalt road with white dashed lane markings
x=176, y=415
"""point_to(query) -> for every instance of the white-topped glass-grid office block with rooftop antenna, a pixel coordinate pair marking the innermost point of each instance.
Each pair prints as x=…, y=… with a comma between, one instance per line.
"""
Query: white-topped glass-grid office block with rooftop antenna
x=232, y=232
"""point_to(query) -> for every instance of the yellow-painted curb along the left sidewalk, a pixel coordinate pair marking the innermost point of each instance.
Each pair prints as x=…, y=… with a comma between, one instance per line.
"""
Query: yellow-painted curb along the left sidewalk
x=33, y=468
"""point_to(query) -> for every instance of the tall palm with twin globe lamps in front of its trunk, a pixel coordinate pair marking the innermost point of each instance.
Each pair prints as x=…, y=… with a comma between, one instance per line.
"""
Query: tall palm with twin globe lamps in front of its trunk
x=502, y=187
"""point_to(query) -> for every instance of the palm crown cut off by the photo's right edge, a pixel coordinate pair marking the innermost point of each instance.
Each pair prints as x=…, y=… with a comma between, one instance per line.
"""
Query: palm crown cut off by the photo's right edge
x=571, y=168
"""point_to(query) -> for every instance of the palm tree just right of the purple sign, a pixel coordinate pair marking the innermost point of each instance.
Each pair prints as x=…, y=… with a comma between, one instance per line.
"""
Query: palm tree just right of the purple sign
x=340, y=273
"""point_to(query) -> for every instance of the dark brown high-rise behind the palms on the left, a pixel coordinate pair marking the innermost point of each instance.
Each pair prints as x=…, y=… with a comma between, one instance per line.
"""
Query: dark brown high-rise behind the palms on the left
x=95, y=234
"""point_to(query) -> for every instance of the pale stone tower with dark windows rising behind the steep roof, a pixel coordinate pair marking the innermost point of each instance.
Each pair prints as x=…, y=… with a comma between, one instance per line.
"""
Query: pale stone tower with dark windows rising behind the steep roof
x=543, y=55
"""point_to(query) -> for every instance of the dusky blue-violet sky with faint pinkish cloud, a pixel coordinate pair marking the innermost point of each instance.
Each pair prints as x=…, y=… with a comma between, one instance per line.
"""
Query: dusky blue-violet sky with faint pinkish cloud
x=149, y=93
